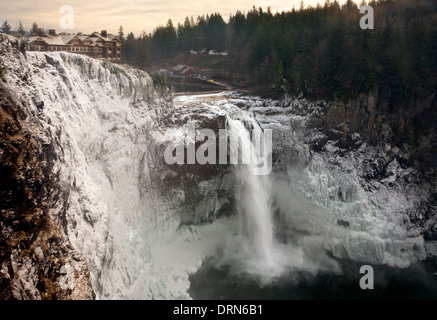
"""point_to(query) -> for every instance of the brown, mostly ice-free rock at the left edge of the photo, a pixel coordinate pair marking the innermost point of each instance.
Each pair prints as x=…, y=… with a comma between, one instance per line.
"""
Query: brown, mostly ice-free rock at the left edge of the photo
x=37, y=260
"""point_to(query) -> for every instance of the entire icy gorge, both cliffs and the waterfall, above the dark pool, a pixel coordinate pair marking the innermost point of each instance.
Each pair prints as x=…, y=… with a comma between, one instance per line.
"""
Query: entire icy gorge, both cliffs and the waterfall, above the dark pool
x=90, y=209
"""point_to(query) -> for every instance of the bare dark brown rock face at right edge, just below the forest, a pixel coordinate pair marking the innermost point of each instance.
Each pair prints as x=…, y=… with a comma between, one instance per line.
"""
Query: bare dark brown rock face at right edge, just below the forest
x=410, y=128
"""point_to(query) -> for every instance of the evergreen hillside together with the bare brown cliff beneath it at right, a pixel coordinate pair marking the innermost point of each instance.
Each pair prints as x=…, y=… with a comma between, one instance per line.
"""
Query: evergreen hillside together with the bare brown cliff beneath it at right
x=322, y=53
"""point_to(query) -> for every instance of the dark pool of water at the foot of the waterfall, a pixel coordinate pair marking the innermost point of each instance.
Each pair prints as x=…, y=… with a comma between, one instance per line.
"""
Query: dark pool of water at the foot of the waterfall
x=419, y=281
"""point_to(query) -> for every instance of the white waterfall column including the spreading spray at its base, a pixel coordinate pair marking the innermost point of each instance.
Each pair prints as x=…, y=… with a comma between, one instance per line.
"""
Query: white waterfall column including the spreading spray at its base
x=254, y=250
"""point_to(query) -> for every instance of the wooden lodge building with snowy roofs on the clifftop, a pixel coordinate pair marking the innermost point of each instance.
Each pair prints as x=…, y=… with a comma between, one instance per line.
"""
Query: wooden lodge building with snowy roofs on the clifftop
x=97, y=45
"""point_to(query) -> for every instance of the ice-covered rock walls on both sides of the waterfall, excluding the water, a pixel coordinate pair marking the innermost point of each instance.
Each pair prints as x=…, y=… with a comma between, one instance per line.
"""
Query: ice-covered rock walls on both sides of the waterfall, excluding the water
x=131, y=215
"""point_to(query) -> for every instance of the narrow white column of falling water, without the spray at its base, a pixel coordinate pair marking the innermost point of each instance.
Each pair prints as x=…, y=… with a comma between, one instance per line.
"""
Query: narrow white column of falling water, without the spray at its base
x=253, y=193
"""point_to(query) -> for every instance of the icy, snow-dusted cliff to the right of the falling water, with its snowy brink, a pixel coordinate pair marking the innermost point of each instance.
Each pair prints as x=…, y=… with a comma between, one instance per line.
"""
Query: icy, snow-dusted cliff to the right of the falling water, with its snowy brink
x=362, y=203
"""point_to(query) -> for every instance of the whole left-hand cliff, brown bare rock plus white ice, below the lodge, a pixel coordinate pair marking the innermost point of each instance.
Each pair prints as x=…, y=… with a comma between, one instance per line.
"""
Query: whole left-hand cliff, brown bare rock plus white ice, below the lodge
x=99, y=184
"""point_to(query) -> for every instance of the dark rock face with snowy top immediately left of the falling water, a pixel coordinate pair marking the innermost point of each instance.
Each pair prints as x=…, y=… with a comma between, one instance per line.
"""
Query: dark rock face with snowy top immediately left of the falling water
x=207, y=189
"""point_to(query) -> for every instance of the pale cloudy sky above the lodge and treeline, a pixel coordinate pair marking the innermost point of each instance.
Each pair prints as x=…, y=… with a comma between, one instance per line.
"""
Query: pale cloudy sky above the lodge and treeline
x=133, y=15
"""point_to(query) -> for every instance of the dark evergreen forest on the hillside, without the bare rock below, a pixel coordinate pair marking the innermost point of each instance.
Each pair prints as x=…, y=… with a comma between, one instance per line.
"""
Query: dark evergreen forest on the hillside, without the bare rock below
x=320, y=52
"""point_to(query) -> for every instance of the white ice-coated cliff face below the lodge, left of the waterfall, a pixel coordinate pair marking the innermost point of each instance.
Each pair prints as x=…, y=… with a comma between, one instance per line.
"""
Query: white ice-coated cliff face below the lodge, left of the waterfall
x=107, y=125
